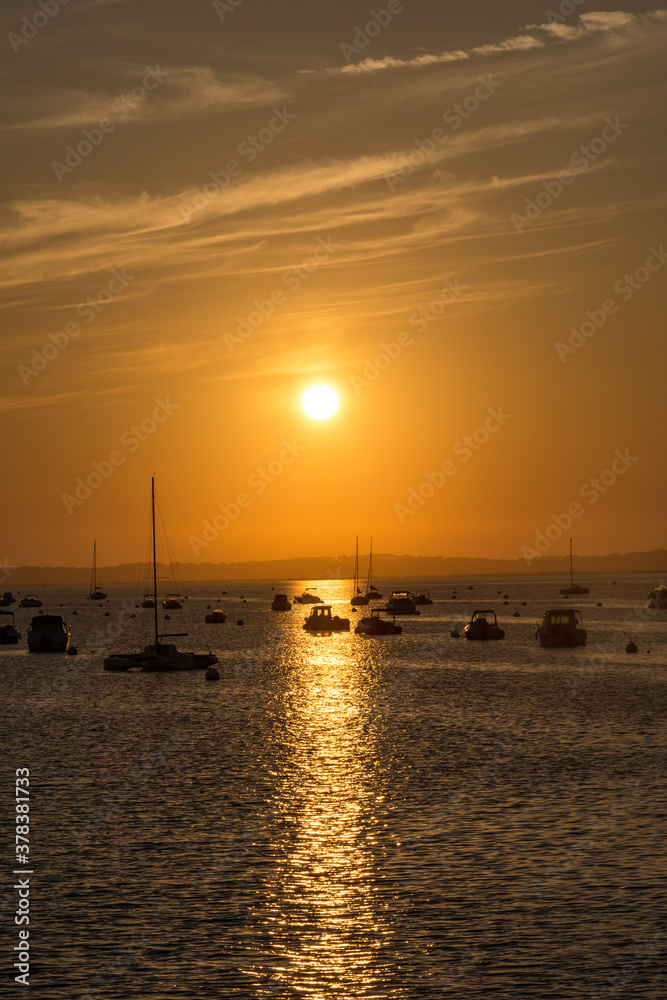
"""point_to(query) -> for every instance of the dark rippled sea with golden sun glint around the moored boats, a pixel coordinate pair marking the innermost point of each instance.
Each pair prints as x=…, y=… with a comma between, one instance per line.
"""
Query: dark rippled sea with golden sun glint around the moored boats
x=340, y=815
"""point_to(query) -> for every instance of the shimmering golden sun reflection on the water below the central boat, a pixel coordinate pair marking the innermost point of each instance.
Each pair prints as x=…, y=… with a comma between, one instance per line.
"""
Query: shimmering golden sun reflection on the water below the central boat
x=329, y=923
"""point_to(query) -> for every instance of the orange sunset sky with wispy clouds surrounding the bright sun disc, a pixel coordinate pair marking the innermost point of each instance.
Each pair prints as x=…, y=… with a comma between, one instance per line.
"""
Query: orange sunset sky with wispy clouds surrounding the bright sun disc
x=452, y=217
